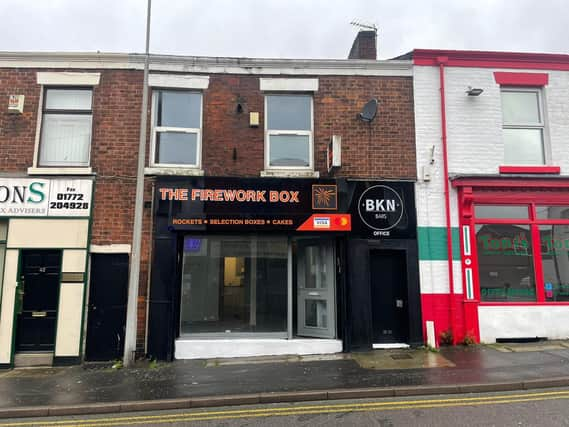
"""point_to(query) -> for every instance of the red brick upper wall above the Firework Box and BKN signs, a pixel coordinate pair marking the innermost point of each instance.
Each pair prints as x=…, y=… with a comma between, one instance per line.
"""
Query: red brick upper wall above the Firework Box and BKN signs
x=383, y=149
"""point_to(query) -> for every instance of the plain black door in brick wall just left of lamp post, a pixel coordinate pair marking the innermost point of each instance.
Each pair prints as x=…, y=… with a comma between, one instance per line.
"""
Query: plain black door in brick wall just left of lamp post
x=108, y=291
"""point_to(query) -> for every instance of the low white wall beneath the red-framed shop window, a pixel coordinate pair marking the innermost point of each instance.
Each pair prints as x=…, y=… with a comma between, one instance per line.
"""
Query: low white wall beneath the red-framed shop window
x=523, y=322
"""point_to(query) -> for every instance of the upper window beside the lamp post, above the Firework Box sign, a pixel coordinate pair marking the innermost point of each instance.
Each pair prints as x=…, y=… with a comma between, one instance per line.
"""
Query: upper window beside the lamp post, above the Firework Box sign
x=176, y=130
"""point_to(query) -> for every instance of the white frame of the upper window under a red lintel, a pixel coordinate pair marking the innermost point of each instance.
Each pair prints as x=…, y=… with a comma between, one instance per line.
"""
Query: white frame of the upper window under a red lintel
x=542, y=124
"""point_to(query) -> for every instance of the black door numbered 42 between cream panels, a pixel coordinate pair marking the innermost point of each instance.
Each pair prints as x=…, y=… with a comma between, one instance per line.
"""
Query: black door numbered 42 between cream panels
x=38, y=294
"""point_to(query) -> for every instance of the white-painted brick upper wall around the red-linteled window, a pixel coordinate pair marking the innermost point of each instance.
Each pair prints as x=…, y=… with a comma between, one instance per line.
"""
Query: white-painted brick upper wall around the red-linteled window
x=474, y=124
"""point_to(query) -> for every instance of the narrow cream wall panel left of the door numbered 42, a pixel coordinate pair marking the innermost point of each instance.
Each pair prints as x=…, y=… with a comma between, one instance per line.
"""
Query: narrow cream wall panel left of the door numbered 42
x=7, y=307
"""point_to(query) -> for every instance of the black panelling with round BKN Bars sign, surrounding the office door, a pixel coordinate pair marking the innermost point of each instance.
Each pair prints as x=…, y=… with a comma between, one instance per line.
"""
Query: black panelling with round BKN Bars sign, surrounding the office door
x=394, y=228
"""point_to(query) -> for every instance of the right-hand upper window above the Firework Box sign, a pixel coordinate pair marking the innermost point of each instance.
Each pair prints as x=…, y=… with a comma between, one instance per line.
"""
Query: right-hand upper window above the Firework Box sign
x=289, y=131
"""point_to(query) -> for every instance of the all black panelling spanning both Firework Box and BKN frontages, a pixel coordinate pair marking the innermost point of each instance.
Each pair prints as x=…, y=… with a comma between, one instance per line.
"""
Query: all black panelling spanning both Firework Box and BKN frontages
x=382, y=217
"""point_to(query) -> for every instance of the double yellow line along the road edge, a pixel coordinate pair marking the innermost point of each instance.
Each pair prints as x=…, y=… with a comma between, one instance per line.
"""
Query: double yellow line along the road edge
x=299, y=410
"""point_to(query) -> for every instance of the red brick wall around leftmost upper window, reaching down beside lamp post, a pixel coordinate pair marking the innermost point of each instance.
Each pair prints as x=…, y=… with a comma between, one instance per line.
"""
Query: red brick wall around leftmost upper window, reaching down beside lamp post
x=116, y=118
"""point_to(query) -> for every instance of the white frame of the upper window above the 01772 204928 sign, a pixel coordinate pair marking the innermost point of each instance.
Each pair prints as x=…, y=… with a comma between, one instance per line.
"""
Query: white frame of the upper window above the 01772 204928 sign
x=44, y=111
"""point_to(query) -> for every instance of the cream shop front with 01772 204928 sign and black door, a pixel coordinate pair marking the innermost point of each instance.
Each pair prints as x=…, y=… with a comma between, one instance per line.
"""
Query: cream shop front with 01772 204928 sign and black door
x=44, y=234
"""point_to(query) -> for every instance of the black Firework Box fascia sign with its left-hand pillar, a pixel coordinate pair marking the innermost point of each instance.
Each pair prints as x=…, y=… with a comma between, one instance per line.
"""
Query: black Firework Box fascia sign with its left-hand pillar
x=181, y=205
